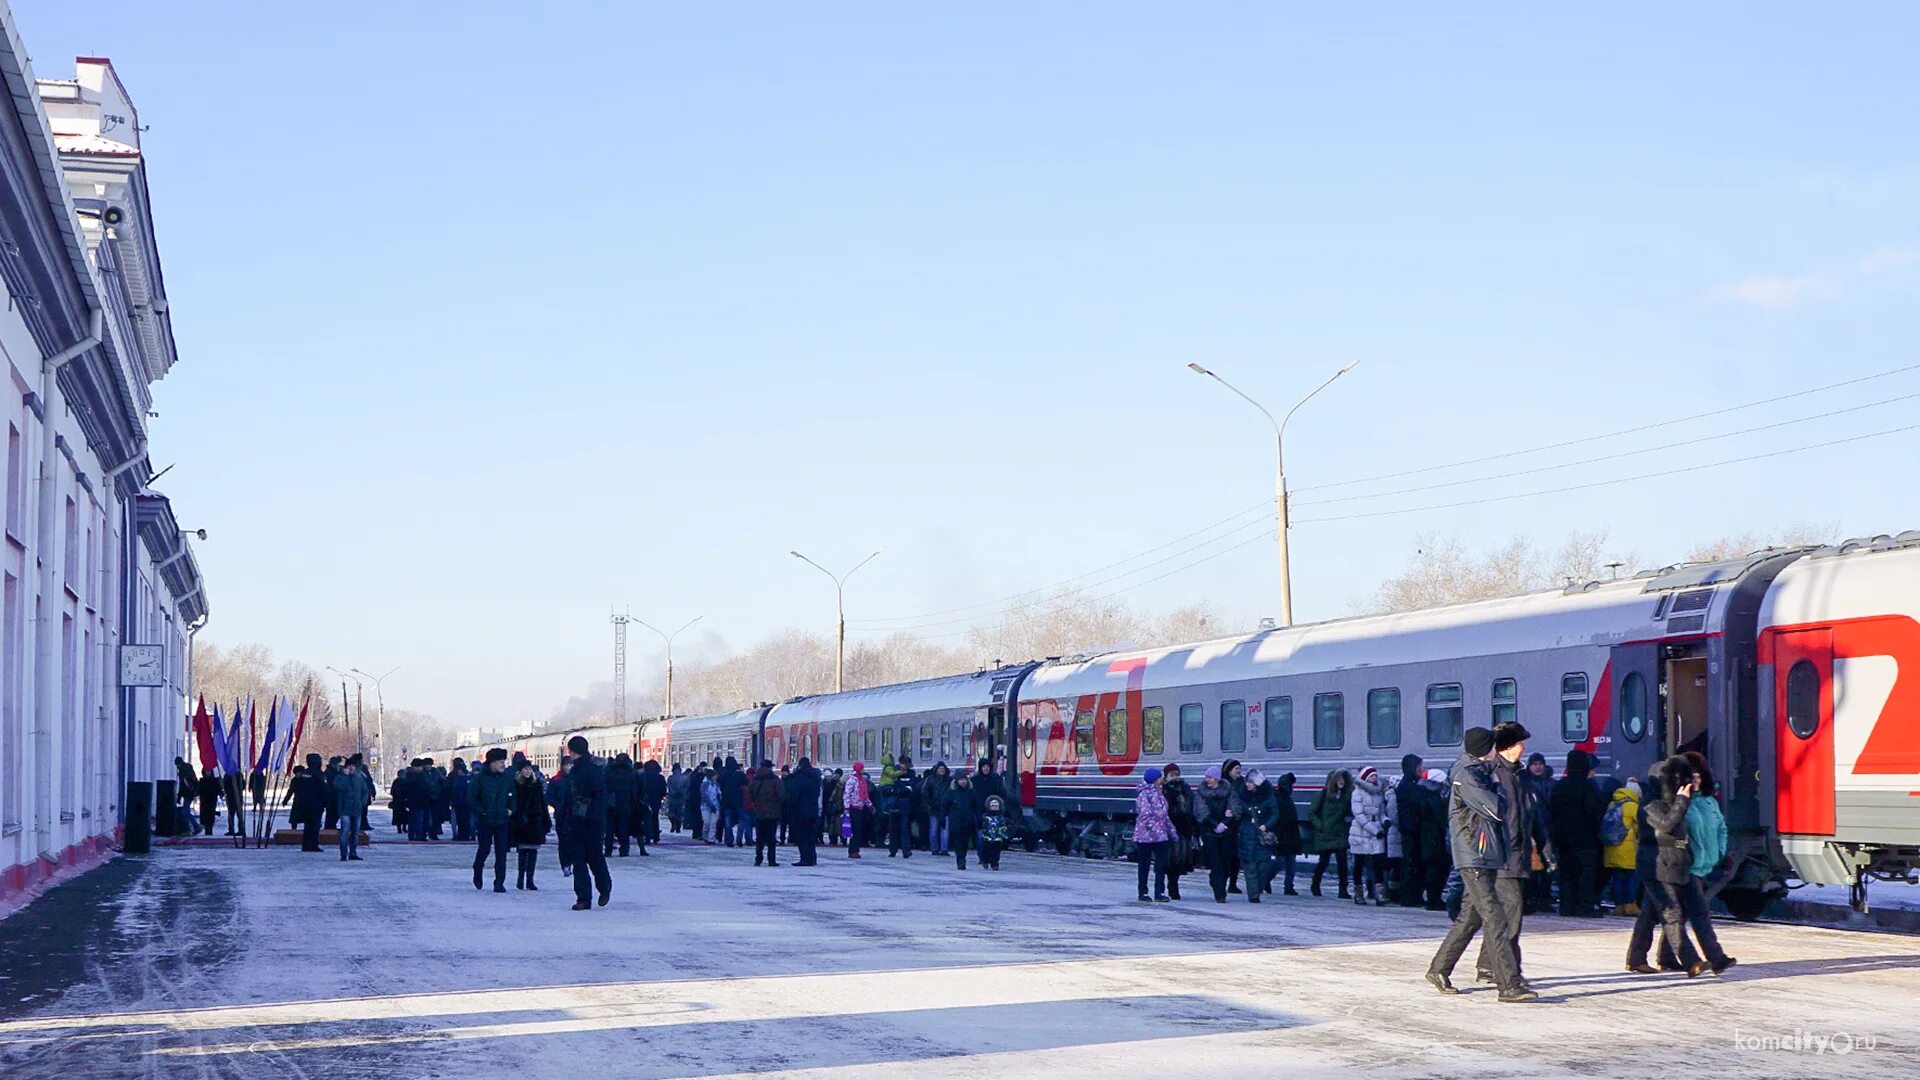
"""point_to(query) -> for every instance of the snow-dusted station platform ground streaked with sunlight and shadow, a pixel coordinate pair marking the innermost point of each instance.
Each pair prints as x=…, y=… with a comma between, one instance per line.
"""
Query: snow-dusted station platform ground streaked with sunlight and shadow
x=216, y=962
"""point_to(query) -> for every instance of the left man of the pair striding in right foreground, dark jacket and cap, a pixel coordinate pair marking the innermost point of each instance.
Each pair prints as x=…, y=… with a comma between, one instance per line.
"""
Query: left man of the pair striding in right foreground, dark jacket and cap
x=1477, y=823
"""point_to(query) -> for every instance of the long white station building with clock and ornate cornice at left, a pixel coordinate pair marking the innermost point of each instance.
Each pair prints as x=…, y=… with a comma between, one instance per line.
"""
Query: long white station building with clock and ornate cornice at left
x=99, y=587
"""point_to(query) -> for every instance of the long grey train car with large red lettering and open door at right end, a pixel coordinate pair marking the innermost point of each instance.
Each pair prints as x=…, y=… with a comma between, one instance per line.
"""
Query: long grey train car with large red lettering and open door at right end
x=1629, y=672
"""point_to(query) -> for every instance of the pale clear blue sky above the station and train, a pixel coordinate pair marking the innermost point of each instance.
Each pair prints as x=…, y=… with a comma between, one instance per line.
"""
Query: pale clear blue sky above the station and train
x=494, y=314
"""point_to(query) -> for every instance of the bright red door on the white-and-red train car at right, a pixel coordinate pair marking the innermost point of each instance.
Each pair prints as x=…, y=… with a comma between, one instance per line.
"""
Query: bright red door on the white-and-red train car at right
x=1804, y=731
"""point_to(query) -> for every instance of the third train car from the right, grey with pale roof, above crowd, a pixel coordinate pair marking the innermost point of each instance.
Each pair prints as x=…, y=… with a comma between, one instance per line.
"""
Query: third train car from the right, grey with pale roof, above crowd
x=955, y=720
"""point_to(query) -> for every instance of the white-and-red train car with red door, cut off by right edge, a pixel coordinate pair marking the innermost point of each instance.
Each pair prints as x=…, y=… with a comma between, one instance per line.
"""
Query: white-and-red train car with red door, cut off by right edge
x=1838, y=677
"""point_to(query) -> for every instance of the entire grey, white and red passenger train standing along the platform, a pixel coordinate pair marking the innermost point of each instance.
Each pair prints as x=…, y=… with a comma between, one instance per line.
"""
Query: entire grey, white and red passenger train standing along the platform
x=1796, y=672
